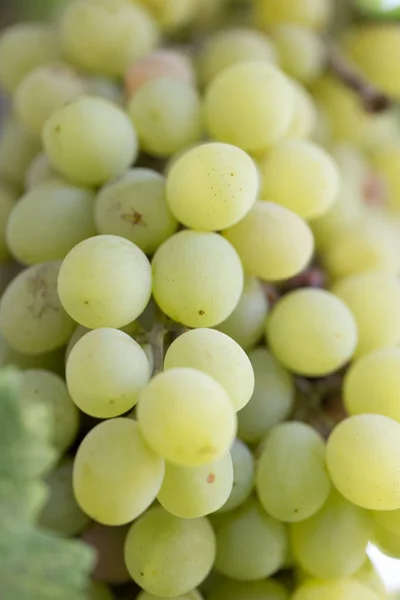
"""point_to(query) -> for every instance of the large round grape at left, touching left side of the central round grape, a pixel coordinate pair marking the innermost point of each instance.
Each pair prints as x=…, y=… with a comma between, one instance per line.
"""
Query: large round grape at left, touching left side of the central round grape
x=105, y=281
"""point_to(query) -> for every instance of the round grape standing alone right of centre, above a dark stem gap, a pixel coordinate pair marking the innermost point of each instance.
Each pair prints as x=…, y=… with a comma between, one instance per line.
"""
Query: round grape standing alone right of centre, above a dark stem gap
x=318, y=321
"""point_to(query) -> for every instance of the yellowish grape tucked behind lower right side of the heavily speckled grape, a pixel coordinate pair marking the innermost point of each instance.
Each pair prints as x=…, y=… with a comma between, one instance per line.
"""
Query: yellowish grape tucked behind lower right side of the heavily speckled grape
x=273, y=242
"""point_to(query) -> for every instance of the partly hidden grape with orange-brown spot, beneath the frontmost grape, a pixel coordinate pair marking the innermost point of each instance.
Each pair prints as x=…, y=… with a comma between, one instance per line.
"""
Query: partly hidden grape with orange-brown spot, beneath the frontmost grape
x=193, y=492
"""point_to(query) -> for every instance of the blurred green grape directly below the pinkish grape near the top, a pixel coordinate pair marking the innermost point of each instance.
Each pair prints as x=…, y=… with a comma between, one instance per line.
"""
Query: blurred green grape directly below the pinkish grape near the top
x=178, y=123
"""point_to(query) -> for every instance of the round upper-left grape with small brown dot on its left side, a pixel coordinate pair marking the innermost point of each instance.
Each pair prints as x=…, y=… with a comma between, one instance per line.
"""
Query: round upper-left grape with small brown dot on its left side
x=90, y=140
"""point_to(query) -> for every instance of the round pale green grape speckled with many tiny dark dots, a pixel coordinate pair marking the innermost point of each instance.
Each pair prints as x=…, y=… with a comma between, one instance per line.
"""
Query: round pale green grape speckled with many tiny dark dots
x=226, y=190
